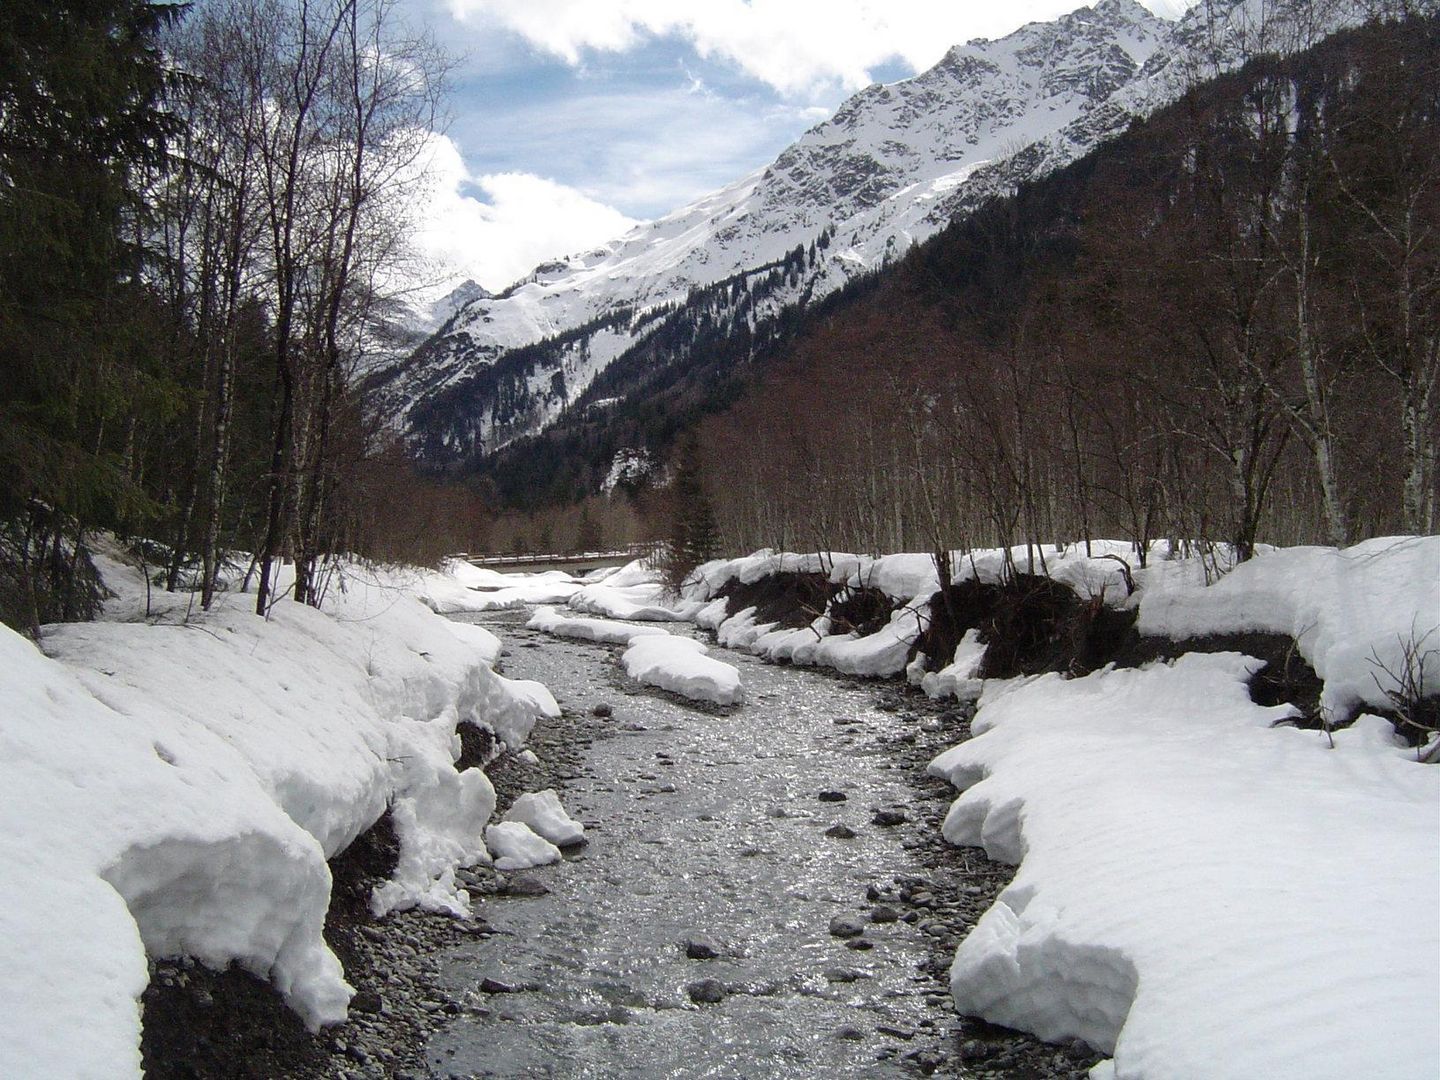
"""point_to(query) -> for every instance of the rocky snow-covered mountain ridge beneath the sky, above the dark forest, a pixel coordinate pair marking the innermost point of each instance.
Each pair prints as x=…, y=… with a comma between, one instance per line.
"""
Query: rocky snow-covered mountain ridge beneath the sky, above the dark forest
x=891, y=168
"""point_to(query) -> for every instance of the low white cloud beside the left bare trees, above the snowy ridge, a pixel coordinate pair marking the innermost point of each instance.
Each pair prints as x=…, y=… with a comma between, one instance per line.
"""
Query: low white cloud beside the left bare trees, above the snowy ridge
x=516, y=222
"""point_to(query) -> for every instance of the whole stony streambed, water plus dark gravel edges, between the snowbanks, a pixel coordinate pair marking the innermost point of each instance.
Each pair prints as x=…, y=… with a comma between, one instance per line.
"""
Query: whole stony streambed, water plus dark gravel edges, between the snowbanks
x=842, y=973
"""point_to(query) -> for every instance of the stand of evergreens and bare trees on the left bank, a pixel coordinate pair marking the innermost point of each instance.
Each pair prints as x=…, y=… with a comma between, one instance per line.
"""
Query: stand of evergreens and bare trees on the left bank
x=204, y=218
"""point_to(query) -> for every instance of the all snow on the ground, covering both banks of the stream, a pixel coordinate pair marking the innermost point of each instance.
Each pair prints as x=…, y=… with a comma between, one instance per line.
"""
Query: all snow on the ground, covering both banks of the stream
x=1200, y=892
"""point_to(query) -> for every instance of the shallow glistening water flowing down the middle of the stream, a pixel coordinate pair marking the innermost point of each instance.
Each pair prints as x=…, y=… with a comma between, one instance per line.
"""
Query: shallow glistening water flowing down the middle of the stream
x=711, y=824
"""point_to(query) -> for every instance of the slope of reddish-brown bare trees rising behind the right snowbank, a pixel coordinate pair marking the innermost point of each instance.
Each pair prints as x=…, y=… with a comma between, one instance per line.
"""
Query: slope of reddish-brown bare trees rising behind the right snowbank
x=1225, y=325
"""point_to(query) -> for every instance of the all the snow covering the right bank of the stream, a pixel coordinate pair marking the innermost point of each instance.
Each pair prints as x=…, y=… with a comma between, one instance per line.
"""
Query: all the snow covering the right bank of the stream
x=1203, y=891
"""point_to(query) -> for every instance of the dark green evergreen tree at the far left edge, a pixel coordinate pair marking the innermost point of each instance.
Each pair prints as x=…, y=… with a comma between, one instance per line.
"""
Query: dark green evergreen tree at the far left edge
x=81, y=126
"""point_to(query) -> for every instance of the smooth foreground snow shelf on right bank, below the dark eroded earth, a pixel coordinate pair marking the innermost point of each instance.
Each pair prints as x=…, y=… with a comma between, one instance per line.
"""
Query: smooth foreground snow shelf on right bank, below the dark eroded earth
x=1200, y=894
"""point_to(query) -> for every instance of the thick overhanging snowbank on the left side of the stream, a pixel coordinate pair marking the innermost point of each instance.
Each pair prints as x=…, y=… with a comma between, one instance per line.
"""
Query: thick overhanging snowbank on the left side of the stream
x=176, y=780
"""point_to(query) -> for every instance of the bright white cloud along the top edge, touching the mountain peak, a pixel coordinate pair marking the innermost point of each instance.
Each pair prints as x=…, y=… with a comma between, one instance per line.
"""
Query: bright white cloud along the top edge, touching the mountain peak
x=797, y=47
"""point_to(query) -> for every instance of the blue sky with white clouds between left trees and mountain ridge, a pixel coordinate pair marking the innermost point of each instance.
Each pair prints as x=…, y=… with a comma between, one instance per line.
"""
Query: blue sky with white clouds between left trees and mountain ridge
x=572, y=120
